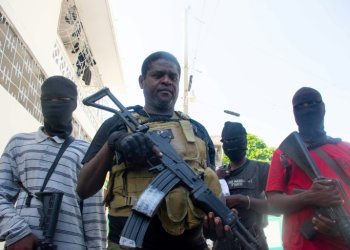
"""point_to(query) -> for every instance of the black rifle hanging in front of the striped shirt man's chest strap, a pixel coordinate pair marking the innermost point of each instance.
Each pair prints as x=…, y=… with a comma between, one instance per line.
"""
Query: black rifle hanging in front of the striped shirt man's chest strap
x=48, y=217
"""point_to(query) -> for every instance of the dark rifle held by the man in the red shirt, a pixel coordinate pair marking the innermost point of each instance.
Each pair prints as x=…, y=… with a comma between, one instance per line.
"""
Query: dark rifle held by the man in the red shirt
x=294, y=148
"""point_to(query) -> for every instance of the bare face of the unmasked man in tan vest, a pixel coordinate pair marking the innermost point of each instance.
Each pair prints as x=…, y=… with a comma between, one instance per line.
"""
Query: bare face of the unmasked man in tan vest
x=161, y=85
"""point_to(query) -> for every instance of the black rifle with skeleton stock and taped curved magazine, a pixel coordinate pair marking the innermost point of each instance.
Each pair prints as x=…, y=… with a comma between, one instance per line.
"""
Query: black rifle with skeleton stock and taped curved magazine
x=172, y=170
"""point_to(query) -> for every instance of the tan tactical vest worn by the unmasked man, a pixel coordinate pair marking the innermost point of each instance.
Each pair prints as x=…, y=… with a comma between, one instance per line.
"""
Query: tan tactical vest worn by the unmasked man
x=177, y=212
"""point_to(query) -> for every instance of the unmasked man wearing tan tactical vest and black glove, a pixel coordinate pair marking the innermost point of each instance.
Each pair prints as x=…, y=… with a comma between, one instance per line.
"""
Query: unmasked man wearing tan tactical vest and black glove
x=178, y=222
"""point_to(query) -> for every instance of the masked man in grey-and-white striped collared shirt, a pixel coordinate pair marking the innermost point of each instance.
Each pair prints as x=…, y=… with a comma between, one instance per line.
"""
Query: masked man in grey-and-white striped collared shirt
x=31, y=217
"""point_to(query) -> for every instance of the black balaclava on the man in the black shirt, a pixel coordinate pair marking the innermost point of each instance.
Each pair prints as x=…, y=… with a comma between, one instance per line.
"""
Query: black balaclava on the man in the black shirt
x=234, y=139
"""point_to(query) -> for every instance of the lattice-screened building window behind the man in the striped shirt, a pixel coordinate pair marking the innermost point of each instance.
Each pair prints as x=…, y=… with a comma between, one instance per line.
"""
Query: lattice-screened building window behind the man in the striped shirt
x=21, y=75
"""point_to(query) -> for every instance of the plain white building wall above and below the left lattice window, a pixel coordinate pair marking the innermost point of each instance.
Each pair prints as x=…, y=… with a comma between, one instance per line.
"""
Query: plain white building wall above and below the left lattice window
x=36, y=22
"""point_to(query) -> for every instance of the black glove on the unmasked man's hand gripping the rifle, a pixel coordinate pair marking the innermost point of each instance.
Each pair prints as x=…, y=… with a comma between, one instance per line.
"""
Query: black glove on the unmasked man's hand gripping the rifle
x=131, y=147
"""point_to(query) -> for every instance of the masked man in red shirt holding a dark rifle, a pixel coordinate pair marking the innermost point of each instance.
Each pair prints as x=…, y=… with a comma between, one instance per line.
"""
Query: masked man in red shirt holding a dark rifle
x=299, y=193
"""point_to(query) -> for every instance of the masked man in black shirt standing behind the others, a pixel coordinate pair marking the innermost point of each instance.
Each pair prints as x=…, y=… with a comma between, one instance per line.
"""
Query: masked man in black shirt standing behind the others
x=246, y=180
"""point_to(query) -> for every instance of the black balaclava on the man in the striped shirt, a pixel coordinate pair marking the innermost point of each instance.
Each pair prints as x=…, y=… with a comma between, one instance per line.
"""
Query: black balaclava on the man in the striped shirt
x=58, y=101
